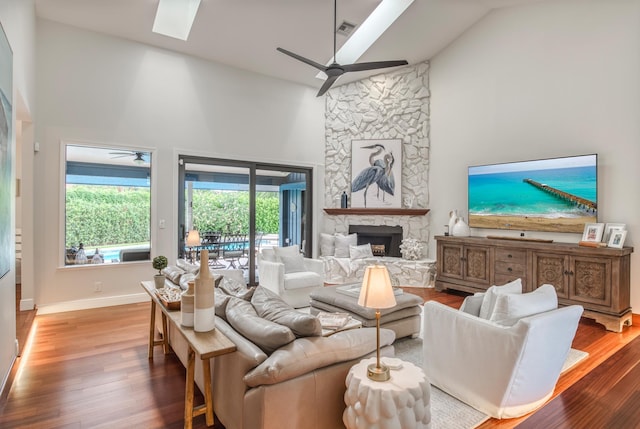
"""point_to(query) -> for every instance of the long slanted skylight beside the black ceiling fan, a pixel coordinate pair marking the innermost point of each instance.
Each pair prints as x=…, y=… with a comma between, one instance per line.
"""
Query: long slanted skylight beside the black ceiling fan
x=371, y=29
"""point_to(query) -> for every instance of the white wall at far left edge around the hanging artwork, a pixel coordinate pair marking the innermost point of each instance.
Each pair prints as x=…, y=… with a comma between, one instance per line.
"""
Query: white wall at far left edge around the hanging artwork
x=18, y=20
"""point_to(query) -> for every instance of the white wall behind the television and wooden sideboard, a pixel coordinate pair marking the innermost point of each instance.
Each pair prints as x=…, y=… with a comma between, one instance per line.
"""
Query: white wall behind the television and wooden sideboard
x=548, y=79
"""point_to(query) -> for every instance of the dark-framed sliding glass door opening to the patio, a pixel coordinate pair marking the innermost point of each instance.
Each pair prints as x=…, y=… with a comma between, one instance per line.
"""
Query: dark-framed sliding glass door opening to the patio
x=235, y=208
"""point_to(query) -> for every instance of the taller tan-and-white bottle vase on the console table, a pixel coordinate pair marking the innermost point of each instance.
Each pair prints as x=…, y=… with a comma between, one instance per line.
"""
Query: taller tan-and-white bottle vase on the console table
x=204, y=311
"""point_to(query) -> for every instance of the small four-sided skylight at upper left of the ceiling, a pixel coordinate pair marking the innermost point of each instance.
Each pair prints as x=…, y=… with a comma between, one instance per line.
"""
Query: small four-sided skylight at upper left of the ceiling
x=174, y=18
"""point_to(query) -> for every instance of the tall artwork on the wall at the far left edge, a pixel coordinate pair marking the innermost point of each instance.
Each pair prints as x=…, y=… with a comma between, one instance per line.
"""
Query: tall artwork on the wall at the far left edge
x=6, y=139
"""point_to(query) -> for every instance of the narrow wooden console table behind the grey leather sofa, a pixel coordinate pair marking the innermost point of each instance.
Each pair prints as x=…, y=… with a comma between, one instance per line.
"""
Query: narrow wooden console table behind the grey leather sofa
x=206, y=344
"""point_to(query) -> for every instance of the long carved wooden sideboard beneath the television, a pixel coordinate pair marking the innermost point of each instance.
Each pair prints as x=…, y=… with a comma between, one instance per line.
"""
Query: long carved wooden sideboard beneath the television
x=596, y=278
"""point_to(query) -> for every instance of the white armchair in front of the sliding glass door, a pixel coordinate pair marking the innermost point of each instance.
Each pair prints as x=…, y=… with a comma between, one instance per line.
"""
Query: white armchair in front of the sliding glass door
x=285, y=271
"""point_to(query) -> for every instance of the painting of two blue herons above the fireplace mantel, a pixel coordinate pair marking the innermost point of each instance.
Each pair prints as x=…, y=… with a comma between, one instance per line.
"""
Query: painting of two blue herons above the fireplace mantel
x=375, y=173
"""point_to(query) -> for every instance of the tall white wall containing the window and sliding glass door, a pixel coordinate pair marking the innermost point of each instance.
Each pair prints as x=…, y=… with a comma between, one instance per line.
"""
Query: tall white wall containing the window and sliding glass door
x=97, y=88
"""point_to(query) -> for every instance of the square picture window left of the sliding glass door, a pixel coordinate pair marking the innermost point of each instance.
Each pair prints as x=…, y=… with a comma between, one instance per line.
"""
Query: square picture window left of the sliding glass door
x=107, y=205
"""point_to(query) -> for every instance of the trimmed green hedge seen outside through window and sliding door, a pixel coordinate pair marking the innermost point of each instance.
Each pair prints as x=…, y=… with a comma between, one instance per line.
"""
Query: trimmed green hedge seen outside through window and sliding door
x=110, y=215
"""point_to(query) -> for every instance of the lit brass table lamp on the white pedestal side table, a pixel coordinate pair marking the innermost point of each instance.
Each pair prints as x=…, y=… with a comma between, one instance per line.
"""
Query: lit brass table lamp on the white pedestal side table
x=376, y=292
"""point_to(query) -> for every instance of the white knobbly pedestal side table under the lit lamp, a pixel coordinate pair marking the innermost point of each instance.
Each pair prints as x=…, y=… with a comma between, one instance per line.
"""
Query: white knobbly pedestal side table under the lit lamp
x=403, y=402
